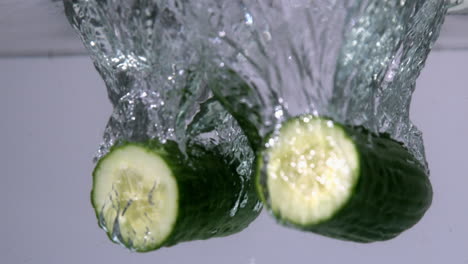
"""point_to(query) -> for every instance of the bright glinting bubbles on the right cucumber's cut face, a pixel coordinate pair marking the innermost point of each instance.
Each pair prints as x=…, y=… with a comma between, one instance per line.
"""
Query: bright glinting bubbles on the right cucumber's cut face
x=308, y=166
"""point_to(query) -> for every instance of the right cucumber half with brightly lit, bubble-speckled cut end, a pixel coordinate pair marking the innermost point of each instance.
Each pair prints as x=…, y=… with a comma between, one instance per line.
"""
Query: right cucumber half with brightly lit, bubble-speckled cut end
x=340, y=181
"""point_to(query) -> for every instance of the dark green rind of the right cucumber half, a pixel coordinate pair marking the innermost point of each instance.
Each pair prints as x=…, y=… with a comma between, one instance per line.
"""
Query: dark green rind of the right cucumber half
x=391, y=195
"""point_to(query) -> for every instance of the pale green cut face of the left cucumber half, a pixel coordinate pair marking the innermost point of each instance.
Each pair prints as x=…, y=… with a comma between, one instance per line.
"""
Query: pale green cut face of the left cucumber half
x=135, y=196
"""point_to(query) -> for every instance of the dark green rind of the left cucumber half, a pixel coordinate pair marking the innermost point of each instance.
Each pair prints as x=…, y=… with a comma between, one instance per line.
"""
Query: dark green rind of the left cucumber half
x=208, y=189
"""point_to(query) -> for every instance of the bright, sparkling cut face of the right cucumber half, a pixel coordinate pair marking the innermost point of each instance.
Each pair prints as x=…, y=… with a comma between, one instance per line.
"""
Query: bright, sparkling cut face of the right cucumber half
x=311, y=171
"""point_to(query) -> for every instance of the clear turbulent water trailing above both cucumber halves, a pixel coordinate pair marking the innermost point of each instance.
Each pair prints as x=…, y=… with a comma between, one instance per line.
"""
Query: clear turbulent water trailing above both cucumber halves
x=355, y=61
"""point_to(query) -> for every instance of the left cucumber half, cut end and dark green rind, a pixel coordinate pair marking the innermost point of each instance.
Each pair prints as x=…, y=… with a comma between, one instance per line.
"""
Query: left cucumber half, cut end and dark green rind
x=150, y=195
